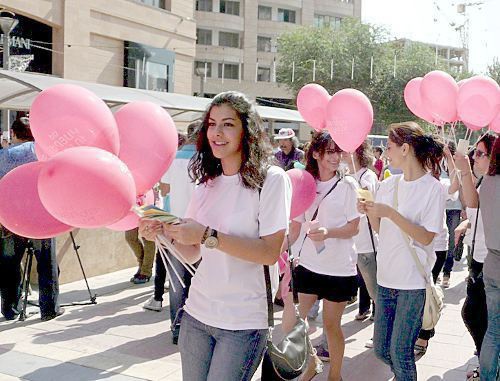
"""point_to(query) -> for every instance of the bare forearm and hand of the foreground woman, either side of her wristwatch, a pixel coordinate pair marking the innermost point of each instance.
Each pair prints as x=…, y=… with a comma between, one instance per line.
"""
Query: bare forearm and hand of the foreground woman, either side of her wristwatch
x=264, y=250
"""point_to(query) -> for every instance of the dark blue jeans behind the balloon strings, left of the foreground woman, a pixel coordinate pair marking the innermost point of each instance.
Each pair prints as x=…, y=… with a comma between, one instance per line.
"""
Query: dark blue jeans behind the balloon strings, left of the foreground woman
x=177, y=298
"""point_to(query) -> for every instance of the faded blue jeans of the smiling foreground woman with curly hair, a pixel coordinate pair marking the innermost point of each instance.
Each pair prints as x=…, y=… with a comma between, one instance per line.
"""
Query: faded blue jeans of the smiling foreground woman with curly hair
x=214, y=354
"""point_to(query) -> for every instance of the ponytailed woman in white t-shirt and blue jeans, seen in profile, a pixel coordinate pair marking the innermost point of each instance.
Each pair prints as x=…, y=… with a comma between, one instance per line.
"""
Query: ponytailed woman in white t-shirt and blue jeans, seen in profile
x=408, y=205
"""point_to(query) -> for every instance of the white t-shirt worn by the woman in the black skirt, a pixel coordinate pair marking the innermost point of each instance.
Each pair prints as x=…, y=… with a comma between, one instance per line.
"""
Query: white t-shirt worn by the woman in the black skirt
x=339, y=257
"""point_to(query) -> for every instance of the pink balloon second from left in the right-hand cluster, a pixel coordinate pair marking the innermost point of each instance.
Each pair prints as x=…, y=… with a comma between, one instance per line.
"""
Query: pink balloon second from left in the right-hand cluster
x=439, y=93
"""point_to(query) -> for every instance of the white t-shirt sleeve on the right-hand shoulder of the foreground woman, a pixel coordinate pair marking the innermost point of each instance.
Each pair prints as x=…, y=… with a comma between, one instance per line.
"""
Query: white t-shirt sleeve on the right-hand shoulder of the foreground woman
x=275, y=202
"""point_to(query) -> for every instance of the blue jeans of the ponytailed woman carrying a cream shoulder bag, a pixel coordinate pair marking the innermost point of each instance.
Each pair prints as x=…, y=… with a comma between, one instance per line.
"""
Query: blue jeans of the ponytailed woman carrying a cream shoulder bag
x=397, y=323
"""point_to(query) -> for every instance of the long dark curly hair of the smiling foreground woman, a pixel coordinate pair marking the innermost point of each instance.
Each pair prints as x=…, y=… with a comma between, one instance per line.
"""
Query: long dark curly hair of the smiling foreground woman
x=256, y=153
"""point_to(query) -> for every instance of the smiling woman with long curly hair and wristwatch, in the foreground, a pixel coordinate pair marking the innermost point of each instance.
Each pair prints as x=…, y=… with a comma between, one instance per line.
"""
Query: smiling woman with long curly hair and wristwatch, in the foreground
x=236, y=221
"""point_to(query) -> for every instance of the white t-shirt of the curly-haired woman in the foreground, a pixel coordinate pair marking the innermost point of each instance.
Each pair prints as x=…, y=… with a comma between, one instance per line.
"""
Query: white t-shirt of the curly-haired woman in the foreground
x=227, y=292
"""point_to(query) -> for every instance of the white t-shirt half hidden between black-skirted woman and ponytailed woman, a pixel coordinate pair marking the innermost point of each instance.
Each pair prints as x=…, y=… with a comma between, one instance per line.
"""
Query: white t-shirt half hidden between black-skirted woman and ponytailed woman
x=368, y=180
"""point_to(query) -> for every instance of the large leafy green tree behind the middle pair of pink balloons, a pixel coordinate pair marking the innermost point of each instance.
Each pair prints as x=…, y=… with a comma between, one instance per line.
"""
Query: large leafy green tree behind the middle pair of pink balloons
x=359, y=42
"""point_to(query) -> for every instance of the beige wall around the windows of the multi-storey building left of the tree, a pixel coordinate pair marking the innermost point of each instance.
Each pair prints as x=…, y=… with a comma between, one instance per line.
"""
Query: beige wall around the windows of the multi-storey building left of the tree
x=249, y=27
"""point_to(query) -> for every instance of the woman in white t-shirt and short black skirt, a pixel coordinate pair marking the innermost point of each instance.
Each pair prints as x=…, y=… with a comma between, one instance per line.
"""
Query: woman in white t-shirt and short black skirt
x=325, y=246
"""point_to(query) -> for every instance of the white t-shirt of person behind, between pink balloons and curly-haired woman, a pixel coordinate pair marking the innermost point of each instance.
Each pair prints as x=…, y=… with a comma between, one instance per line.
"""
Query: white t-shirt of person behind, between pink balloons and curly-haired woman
x=181, y=185
